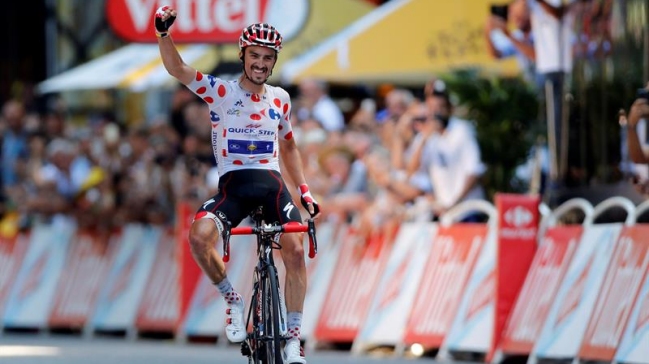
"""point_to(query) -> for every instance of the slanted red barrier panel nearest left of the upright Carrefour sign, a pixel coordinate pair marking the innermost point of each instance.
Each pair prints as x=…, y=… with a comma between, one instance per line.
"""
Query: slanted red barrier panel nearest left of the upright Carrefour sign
x=453, y=256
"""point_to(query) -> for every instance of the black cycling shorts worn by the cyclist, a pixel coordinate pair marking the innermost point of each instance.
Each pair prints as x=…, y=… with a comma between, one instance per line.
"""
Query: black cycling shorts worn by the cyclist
x=242, y=191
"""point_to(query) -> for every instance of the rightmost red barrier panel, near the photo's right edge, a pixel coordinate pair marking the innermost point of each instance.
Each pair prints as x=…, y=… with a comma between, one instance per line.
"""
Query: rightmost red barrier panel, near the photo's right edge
x=621, y=286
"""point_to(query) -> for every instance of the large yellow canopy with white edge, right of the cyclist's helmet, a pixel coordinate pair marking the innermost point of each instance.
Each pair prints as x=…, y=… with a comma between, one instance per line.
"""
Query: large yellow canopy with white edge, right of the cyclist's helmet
x=409, y=44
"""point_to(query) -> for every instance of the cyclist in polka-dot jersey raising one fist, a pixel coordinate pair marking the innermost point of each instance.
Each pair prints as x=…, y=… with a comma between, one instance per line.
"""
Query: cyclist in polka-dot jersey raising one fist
x=251, y=131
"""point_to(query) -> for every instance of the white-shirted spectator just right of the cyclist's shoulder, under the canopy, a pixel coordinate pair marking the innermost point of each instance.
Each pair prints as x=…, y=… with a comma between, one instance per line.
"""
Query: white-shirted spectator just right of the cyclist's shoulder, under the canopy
x=317, y=104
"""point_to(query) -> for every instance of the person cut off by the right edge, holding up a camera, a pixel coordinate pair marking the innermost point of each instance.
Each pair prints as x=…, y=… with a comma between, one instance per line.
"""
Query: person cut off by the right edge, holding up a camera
x=637, y=141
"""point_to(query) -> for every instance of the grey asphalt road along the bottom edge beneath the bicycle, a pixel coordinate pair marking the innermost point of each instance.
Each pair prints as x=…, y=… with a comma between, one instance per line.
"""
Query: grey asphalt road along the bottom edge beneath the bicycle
x=67, y=349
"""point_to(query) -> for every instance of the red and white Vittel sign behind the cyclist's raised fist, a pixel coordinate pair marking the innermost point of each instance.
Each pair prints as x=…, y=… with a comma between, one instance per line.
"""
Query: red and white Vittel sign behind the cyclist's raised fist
x=205, y=21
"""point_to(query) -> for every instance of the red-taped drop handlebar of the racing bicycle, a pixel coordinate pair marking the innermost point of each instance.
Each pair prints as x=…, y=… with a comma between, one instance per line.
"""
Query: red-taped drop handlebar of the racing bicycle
x=271, y=229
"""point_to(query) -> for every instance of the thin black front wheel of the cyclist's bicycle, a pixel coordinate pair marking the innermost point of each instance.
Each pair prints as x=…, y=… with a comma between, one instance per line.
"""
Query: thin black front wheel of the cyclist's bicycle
x=270, y=349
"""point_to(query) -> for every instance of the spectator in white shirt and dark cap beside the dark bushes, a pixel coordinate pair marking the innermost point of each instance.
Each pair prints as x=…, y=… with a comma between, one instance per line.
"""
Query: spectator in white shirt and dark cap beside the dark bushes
x=451, y=155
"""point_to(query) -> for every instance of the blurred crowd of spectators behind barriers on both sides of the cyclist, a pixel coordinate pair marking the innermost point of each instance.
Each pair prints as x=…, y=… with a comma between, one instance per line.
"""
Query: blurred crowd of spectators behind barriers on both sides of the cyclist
x=103, y=174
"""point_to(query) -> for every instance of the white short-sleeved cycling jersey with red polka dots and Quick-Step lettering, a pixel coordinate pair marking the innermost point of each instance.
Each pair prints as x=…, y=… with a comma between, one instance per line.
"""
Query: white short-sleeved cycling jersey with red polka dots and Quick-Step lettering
x=245, y=125
